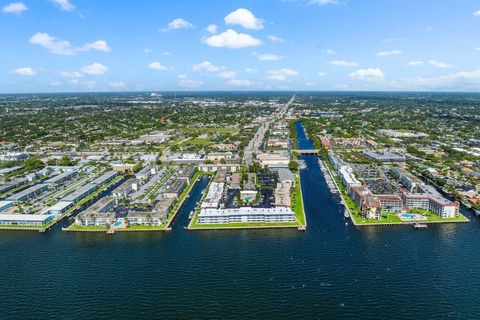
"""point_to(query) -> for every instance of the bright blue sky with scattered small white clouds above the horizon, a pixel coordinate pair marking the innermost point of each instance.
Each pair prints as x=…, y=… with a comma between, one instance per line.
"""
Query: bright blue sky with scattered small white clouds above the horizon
x=107, y=45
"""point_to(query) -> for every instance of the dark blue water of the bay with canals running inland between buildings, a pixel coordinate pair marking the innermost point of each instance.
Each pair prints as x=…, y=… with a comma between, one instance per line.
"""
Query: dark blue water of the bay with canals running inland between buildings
x=331, y=271
